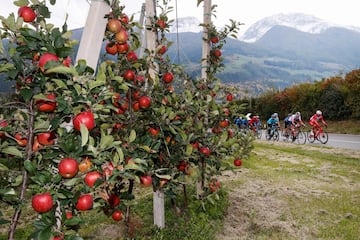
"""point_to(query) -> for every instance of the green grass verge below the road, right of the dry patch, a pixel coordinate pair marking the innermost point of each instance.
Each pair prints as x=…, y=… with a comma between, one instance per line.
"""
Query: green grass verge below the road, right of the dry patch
x=325, y=196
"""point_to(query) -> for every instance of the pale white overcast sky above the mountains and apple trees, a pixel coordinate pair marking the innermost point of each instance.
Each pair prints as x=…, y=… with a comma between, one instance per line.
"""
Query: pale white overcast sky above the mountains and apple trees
x=344, y=12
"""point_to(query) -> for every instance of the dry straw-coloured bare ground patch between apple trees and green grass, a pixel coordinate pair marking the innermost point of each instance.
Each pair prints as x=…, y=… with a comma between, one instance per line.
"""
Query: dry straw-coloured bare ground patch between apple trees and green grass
x=257, y=208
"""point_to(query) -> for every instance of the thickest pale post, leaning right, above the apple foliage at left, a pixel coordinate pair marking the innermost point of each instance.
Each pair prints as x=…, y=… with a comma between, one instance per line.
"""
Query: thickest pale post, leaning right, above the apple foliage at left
x=92, y=36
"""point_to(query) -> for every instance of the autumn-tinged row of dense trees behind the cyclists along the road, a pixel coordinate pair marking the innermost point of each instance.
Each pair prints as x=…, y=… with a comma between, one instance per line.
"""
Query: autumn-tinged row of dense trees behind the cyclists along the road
x=337, y=97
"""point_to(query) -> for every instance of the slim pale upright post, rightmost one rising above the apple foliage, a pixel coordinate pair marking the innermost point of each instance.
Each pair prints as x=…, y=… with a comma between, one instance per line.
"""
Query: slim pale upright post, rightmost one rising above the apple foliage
x=206, y=43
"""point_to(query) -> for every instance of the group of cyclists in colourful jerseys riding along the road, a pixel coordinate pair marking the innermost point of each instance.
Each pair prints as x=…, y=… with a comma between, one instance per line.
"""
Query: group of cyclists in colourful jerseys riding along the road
x=292, y=123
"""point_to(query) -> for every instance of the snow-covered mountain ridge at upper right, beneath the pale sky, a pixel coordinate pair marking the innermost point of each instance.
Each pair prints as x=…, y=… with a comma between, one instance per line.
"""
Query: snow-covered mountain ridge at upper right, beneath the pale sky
x=299, y=21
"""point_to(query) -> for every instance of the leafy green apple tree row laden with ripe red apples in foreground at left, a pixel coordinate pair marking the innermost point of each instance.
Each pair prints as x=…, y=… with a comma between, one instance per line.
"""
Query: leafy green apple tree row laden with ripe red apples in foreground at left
x=73, y=140
